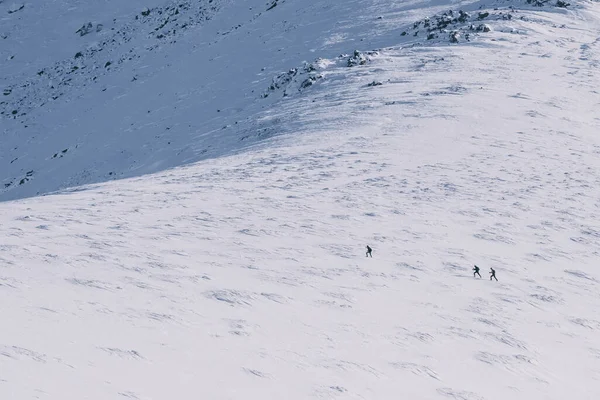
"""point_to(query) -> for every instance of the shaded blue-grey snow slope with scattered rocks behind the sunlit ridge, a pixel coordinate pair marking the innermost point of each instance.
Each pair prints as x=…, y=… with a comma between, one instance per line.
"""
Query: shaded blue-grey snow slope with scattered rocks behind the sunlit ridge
x=117, y=89
